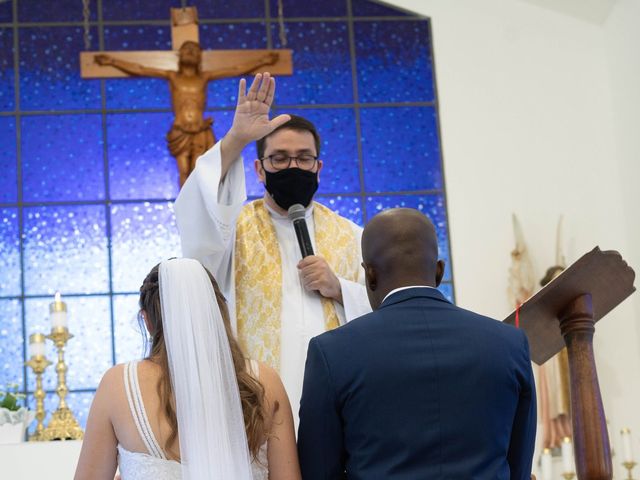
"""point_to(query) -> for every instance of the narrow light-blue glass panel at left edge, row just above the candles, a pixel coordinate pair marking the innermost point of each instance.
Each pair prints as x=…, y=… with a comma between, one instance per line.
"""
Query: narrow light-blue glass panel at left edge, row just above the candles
x=10, y=273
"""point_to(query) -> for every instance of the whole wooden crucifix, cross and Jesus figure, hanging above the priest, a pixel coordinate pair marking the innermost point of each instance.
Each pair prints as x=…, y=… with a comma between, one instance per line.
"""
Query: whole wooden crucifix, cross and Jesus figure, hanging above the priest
x=191, y=134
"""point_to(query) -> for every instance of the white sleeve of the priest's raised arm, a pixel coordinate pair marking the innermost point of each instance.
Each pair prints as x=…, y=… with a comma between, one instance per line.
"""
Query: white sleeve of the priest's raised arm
x=206, y=212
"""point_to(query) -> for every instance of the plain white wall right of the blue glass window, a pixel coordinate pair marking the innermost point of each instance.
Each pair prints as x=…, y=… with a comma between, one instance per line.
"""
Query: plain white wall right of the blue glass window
x=540, y=114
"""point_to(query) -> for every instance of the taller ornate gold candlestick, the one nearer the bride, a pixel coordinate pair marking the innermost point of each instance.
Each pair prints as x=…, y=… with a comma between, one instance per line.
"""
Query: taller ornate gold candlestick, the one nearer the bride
x=63, y=425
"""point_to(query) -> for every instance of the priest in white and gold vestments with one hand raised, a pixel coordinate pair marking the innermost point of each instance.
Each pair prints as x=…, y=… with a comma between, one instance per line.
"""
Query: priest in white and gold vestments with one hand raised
x=277, y=299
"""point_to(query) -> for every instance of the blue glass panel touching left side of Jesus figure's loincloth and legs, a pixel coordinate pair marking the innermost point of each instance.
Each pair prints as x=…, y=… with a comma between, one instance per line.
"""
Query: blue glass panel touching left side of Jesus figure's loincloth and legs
x=140, y=165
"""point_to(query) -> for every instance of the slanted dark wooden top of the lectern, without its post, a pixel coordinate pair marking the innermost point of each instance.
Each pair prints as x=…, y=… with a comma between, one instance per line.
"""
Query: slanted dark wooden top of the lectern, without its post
x=604, y=275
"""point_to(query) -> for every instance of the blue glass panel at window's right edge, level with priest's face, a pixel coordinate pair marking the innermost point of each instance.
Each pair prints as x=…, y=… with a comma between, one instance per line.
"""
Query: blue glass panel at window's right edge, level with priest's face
x=400, y=149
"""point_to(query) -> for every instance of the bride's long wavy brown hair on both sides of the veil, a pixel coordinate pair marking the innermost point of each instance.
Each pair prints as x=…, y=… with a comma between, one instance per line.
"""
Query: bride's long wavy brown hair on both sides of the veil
x=251, y=390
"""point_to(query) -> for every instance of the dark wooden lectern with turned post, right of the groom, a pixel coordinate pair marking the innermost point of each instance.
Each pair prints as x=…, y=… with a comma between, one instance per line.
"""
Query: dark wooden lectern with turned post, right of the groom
x=563, y=313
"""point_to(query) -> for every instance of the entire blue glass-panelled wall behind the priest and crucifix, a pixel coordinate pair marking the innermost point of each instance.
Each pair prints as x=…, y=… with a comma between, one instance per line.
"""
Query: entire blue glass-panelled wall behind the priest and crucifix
x=87, y=185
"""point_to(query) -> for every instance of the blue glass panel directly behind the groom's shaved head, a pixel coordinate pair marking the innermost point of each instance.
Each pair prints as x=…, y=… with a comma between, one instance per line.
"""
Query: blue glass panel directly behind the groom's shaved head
x=433, y=206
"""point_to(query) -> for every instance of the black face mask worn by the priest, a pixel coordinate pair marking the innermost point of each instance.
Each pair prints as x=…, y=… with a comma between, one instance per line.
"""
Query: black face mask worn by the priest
x=290, y=186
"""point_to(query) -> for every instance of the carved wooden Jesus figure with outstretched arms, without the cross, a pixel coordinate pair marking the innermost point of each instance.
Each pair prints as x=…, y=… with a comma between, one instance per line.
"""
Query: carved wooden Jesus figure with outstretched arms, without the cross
x=191, y=134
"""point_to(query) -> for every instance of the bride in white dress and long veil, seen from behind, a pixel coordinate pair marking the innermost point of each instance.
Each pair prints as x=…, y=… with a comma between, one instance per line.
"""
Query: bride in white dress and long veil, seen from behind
x=195, y=408
